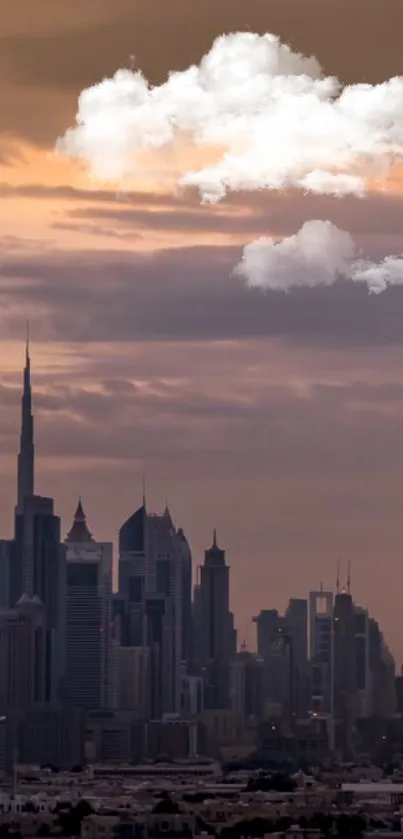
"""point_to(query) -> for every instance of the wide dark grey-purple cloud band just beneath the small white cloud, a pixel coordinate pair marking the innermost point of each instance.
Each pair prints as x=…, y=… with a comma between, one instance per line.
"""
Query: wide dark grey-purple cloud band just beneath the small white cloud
x=178, y=295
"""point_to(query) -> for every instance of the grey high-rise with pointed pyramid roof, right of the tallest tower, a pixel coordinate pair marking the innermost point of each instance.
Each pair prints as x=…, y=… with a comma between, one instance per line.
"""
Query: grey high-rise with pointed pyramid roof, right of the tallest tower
x=90, y=680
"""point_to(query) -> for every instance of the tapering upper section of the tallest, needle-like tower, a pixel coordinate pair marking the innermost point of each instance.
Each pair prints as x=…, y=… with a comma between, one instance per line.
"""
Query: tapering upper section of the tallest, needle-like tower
x=26, y=453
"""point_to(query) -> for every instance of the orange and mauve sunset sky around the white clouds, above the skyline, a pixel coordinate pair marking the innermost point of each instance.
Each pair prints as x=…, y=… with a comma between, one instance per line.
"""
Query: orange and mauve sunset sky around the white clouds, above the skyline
x=277, y=419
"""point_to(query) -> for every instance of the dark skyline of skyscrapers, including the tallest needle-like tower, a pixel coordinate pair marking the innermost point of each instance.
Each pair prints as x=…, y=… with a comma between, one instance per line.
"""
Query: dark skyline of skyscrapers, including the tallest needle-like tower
x=92, y=675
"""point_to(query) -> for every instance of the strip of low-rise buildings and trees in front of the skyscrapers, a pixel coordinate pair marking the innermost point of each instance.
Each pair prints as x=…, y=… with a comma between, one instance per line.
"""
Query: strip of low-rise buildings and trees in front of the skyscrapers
x=232, y=805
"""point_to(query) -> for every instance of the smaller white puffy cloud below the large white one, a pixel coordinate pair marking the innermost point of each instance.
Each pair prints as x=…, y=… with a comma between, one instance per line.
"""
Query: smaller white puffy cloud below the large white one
x=318, y=254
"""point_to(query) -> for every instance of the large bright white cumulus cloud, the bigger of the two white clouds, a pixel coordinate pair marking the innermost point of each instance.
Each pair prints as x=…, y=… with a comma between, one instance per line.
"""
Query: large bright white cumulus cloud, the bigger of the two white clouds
x=269, y=115
